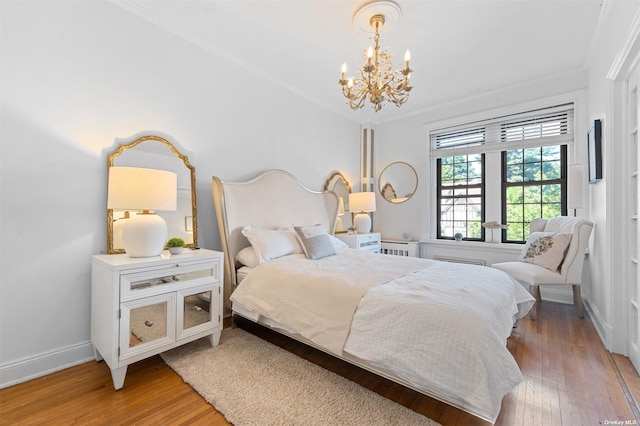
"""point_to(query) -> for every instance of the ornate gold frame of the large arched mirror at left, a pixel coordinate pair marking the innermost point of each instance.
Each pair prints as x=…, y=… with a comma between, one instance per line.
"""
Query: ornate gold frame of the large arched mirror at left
x=126, y=146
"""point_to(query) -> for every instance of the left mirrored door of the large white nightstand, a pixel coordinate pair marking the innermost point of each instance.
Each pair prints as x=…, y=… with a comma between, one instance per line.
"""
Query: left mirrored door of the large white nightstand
x=150, y=324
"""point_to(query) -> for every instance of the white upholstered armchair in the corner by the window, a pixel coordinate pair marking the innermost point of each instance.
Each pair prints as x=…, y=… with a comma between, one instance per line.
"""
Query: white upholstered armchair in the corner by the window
x=569, y=270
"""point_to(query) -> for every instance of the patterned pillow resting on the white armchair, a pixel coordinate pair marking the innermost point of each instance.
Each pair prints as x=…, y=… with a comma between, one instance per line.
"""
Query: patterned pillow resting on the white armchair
x=546, y=249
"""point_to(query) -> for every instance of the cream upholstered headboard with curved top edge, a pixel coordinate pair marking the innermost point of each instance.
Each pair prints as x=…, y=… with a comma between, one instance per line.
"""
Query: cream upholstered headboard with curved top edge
x=271, y=200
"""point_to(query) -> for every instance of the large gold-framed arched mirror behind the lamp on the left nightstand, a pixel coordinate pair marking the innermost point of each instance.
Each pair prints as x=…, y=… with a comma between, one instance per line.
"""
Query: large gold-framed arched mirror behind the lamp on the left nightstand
x=152, y=151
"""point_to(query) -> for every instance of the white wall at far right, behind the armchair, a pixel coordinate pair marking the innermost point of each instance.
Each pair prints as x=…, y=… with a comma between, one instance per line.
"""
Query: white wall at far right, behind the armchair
x=605, y=202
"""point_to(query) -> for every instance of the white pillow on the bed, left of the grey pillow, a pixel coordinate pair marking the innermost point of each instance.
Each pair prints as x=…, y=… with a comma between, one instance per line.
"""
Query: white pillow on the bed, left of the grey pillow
x=270, y=244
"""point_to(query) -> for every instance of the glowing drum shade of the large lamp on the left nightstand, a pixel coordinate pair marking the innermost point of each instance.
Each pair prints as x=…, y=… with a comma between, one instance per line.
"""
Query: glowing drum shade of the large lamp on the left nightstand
x=135, y=188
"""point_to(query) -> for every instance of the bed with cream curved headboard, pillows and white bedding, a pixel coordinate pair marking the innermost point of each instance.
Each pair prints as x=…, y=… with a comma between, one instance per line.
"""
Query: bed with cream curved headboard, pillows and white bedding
x=435, y=327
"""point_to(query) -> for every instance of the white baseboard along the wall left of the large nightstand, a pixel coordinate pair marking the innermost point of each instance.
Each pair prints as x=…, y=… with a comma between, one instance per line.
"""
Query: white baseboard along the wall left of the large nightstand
x=46, y=363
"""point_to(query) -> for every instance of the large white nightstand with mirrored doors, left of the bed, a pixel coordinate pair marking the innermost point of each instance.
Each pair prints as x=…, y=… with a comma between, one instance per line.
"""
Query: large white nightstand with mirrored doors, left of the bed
x=143, y=306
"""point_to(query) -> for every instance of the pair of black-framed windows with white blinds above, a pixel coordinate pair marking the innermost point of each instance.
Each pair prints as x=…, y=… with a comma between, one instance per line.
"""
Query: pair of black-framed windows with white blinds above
x=530, y=152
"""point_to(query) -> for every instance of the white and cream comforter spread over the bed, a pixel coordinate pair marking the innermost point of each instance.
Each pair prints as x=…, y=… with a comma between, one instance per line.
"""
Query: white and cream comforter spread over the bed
x=440, y=326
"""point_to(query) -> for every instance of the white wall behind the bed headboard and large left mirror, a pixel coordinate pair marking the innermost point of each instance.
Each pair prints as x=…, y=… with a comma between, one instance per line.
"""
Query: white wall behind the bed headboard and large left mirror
x=76, y=76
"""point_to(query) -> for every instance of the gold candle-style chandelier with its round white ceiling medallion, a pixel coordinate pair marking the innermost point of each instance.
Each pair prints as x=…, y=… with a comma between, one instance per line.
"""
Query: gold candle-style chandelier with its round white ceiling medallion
x=377, y=81
